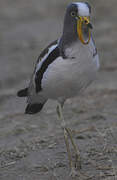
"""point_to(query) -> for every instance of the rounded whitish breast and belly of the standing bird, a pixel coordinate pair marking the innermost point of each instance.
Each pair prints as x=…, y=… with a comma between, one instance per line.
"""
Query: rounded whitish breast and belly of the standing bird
x=67, y=77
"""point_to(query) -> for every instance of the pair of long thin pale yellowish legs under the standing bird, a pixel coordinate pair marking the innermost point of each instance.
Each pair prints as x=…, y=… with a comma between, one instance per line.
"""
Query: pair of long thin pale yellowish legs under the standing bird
x=67, y=132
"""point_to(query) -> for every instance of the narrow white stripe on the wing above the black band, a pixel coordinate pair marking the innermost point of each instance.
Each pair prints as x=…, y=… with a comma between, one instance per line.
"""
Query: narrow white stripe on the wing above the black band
x=45, y=57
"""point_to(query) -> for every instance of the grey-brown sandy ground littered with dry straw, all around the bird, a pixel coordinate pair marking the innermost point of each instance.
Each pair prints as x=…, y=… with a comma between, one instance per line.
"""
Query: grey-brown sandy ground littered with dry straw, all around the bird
x=32, y=147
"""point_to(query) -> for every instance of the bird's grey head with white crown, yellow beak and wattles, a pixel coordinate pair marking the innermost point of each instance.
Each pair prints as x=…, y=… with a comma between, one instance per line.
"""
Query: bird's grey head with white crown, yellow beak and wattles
x=77, y=19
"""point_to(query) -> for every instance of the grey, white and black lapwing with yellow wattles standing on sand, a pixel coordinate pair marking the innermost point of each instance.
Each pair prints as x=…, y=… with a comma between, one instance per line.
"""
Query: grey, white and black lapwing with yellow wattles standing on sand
x=64, y=69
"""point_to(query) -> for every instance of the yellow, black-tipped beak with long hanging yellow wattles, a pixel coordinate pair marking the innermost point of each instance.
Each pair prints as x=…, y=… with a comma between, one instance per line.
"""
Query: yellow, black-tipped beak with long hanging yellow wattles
x=82, y=20
